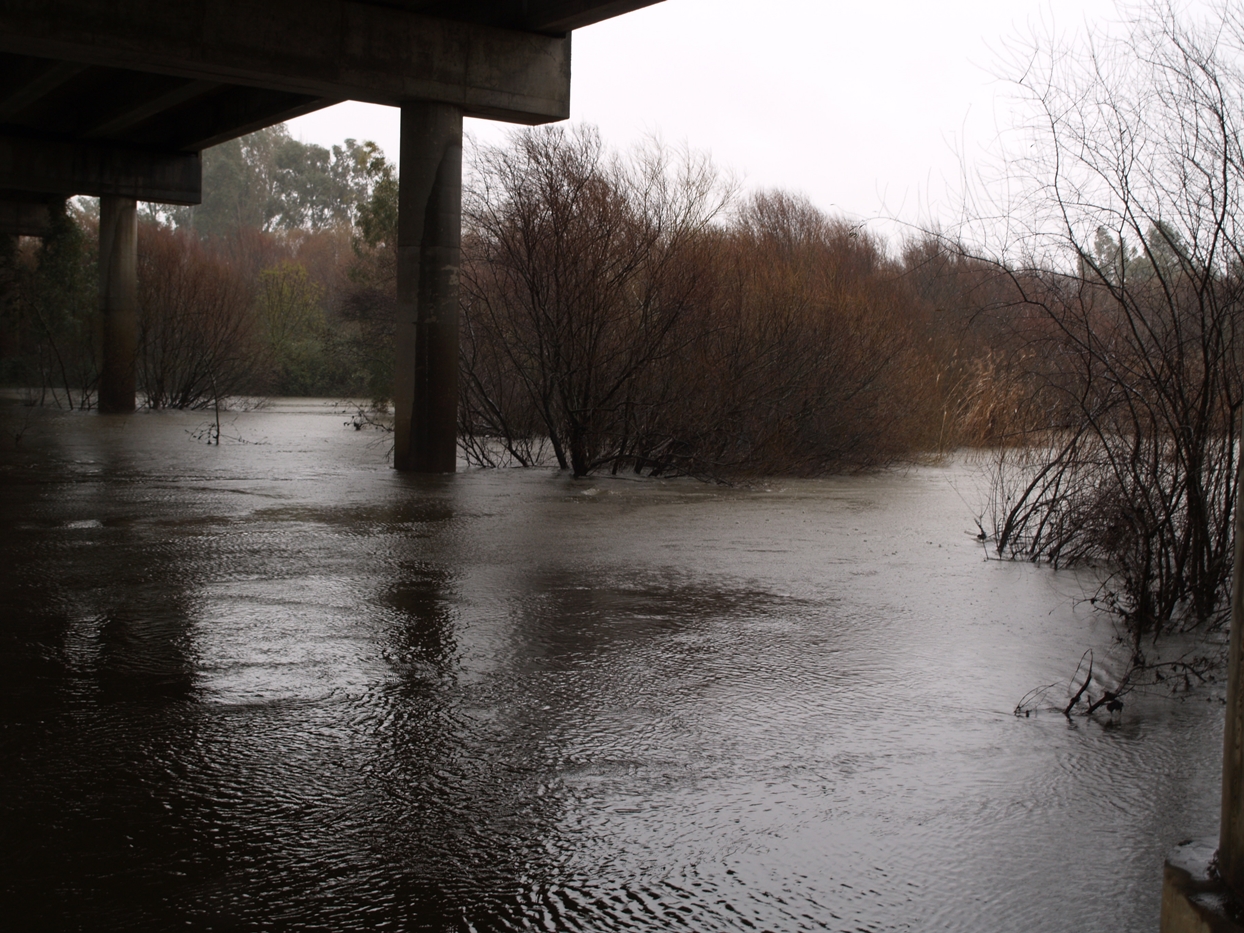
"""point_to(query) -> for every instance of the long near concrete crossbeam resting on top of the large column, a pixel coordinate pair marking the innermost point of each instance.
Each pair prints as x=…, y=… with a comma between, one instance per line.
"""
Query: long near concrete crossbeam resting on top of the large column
x=323, y=49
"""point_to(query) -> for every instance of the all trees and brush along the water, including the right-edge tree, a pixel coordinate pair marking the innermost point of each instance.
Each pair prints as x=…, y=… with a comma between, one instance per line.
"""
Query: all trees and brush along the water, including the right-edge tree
x=638, y=313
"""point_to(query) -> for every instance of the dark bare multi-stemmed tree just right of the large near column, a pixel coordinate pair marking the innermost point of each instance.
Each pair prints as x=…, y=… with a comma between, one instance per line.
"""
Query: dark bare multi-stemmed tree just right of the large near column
x=577, y=273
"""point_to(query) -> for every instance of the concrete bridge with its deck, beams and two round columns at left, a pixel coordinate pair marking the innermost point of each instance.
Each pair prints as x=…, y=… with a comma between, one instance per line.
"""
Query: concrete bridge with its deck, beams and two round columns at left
x=119, y=100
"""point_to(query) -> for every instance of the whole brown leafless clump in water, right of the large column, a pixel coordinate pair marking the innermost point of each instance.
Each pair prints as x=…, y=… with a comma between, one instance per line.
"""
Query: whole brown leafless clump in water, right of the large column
x=616, y=314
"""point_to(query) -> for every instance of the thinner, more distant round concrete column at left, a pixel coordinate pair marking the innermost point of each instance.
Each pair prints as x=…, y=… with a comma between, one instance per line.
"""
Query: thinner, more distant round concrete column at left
x=119, y=303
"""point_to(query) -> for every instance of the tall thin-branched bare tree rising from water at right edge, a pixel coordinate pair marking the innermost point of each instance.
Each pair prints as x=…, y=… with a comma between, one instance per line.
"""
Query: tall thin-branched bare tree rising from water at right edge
x=1131, y=272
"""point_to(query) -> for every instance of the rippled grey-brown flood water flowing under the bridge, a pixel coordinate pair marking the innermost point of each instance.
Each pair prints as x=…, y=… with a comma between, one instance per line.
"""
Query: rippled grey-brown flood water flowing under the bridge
x=276, y=686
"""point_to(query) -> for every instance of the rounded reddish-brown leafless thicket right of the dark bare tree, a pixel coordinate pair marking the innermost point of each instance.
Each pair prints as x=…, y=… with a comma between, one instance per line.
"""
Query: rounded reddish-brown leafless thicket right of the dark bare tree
x=805, y=361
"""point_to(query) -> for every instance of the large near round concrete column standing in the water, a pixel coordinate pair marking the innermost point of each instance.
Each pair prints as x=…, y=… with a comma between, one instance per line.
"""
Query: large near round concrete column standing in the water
x=429, y=247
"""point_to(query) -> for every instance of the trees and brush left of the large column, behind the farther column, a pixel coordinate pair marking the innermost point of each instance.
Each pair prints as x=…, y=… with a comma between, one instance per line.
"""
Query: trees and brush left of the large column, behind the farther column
x=269, y=288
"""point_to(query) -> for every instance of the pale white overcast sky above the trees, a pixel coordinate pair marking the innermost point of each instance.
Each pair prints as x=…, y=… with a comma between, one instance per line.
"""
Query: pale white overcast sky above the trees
x=870, y=109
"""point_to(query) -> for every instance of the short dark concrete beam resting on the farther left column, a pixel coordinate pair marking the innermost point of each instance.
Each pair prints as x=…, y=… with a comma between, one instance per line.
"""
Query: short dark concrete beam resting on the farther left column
x=65, y=169
